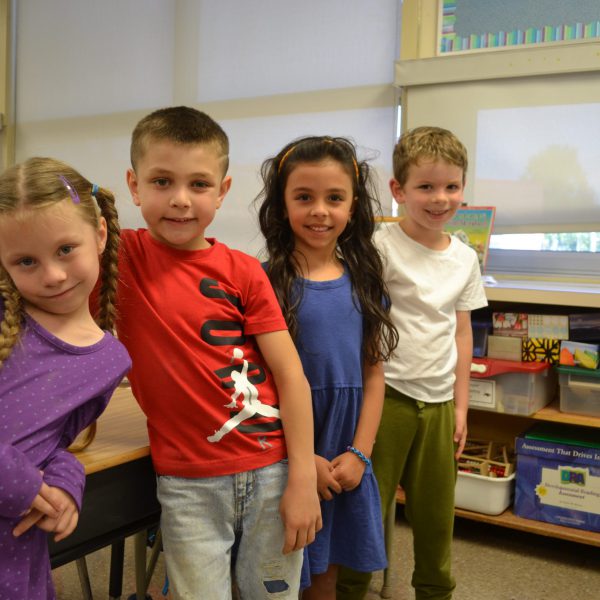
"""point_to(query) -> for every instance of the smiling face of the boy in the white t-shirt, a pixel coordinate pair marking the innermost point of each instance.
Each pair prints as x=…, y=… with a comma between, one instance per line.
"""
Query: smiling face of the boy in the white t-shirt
x=431, y=195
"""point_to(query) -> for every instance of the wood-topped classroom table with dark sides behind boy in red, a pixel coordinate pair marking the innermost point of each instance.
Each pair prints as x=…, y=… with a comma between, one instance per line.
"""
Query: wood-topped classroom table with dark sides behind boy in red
x=120, y=492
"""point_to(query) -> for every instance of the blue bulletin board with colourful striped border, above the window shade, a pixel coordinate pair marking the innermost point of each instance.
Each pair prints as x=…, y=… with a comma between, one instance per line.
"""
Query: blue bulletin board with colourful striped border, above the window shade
x=475, y=25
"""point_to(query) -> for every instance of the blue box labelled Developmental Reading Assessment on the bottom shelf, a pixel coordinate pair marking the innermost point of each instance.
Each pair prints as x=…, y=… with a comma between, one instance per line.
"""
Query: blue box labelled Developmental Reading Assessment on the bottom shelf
x=558, y=476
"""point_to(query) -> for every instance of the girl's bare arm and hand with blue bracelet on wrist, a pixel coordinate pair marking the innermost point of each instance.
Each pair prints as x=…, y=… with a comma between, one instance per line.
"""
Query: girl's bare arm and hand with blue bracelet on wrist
x=349, y=467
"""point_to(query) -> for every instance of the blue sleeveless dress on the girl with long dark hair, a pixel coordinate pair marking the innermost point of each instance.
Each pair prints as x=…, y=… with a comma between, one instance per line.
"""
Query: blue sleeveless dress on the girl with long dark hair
x=329, y=344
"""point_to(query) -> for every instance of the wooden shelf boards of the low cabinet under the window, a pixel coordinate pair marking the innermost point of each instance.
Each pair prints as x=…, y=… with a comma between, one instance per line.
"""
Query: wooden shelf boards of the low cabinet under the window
x=535, y=298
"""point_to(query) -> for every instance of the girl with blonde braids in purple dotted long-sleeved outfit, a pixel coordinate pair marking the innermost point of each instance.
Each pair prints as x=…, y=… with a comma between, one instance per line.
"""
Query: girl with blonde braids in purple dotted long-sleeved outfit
x=58, y=365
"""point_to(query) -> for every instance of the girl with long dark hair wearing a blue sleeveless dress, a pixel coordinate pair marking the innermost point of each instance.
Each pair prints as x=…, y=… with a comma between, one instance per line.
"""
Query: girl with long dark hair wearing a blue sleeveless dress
x=316, y=212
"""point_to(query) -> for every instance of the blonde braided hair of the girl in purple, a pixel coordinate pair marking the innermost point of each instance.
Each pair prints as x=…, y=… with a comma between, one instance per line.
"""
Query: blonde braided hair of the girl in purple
x=39, y=183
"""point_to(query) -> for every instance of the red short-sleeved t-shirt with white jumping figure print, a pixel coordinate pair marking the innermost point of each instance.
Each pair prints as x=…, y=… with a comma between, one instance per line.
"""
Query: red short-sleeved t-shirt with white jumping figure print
x=188, y=320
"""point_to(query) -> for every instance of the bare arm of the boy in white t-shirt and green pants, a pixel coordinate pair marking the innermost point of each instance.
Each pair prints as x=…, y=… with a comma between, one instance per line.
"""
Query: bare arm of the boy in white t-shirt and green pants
x=464, y=347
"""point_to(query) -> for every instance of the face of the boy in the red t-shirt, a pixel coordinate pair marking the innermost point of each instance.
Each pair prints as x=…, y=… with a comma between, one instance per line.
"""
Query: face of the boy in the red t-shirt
x=179, y=188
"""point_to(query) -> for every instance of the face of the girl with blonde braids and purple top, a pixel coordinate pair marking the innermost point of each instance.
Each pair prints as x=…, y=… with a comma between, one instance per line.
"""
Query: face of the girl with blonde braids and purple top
x=52, y=257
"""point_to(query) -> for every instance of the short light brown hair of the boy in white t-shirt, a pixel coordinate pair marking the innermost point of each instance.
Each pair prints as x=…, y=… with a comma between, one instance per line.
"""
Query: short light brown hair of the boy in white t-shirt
x=427, y=143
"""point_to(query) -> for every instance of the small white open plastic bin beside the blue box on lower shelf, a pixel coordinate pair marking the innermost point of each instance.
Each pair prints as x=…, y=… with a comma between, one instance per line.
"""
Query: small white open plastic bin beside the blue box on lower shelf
x=480, y=493
